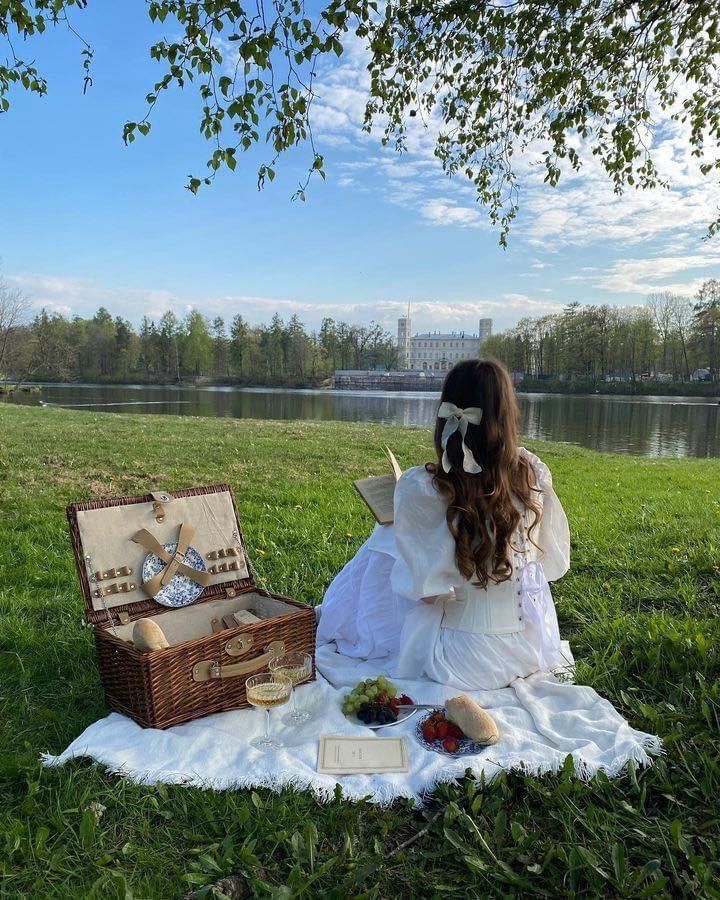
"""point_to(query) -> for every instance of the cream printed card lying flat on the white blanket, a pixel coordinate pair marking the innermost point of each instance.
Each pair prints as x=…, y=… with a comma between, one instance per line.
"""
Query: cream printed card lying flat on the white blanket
x=345, y=755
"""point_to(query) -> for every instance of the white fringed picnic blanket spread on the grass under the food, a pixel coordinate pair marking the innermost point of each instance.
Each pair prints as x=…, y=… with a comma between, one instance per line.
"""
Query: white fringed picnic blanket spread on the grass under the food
x=541, y=719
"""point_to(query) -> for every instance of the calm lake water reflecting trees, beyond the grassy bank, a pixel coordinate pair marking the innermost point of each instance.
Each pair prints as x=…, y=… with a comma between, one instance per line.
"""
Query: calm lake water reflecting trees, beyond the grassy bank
x=650, y=426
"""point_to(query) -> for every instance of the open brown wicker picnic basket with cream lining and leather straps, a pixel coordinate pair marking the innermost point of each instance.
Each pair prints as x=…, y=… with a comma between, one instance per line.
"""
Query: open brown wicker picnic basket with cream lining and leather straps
x=204, y=669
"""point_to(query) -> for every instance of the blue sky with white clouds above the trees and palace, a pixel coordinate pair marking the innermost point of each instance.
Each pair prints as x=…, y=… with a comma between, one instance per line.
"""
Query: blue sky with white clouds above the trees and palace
x=86, y=221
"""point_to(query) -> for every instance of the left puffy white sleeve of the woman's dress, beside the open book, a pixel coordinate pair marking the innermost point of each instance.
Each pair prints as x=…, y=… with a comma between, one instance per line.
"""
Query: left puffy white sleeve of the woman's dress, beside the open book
x=425, y=550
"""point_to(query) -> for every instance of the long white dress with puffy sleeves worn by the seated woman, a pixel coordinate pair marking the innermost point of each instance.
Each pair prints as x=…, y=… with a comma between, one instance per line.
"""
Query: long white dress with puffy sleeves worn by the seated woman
x=476, y=638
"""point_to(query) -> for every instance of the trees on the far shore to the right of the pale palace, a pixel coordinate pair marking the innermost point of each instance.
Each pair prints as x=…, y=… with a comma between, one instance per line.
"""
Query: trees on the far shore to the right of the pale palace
x=671, y=337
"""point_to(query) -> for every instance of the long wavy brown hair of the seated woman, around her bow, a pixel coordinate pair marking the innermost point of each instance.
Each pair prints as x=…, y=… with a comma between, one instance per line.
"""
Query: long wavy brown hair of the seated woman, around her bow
x=482, y=509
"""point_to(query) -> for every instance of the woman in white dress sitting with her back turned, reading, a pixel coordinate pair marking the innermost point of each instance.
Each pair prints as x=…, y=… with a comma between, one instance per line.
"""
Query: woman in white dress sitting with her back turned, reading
x=456, y=589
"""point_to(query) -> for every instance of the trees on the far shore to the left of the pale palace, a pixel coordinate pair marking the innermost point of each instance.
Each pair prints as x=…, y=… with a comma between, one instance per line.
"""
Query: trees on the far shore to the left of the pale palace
x=106, y=348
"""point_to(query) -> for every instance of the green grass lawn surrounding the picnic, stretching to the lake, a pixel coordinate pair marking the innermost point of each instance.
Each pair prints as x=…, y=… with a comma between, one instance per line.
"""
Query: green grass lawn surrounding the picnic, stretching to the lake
x=640, y=606
